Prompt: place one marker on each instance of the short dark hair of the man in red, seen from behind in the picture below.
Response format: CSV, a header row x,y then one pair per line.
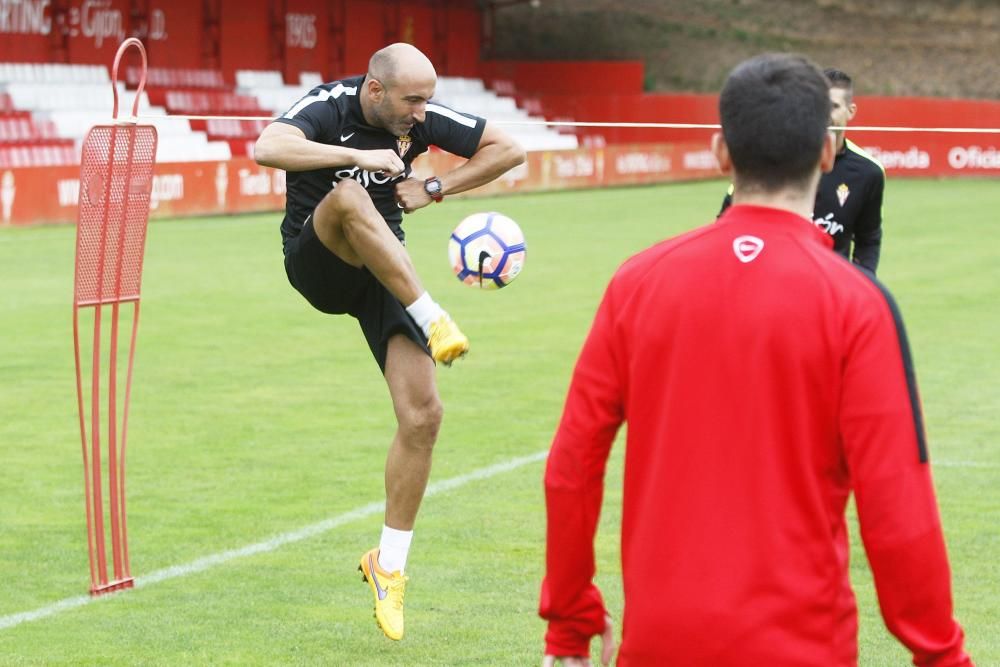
x,y
775,109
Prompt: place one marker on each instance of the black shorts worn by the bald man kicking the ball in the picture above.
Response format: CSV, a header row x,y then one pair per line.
x,y
333,286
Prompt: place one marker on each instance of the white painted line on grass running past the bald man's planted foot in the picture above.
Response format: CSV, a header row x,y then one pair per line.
x,y
272,544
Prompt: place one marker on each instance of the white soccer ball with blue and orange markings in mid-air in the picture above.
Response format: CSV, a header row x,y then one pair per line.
x,y
487,250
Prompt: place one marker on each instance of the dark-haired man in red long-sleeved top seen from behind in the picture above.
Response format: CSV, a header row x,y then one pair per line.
x,y
763,378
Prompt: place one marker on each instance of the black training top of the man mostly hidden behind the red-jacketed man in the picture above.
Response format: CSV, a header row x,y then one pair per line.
x,y
849,205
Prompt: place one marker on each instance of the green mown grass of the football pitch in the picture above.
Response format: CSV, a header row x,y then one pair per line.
x,y
253,416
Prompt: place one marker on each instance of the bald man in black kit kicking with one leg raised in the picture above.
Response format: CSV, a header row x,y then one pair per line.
x,y
348,147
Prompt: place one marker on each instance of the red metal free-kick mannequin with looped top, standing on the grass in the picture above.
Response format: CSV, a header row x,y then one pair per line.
x,y
116,177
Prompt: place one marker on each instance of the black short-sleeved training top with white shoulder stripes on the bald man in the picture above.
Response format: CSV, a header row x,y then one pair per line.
x,y
331,114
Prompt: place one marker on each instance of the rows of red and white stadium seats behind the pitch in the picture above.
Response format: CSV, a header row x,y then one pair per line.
x,y
47,109
